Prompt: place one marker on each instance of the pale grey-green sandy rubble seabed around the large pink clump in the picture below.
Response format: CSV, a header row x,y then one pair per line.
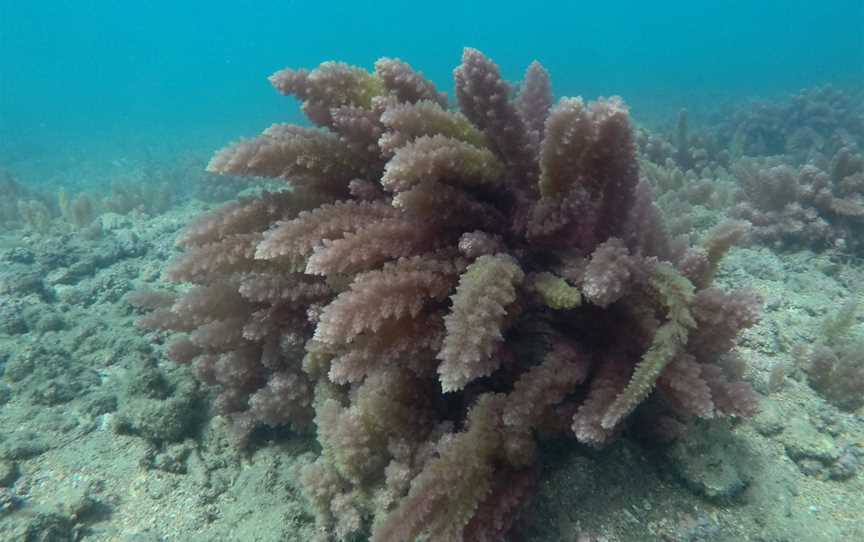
x,y
104,439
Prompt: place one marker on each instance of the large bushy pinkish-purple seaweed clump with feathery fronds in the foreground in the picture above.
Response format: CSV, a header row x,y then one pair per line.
x,y
437,288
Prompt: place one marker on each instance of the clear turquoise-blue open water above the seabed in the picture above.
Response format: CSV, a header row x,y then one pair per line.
x,y
103,82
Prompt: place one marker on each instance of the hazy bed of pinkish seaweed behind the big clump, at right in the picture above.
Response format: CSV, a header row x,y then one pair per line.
x,y
797,163
